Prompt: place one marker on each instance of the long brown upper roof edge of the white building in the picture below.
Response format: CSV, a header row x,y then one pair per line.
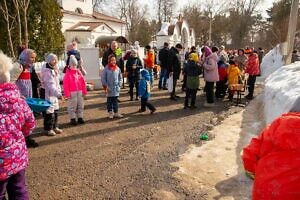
x,y
95,15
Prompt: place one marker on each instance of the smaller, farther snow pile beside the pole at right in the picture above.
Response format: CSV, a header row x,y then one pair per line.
x,y
271,62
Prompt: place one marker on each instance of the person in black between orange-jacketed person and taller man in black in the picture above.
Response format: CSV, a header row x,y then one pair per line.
x,y
163,59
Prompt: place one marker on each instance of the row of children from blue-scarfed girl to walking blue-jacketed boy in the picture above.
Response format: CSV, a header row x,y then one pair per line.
x,y
74,86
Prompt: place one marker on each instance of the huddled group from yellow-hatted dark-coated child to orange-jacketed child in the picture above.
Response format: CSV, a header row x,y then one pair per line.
x,y
217,67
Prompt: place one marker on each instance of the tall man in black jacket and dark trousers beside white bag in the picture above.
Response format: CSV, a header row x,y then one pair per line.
x,y
174,67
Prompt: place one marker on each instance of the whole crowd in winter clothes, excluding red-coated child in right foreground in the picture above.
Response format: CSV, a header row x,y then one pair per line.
x,y
220,69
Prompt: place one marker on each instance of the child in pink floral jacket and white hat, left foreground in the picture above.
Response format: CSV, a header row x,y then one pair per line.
x,y
16,122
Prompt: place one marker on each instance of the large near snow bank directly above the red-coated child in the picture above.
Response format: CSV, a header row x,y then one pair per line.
x,y
282,88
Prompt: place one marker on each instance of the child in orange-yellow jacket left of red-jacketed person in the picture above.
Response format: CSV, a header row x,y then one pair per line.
x,y
233,76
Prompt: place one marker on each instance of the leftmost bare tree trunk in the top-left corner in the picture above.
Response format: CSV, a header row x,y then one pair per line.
x,y
9,20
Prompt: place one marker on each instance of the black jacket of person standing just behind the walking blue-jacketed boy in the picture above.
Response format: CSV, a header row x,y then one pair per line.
x,y
133,74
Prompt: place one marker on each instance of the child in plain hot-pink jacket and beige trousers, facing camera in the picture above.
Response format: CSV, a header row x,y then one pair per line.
x,y
74,91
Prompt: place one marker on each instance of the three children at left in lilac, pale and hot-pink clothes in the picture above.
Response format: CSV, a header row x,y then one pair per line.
x,y
74,87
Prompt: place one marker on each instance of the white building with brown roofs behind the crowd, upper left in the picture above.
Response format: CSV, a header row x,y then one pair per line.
x,y
82,24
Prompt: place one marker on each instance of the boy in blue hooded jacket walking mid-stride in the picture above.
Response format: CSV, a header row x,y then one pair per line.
x,y
144,92
